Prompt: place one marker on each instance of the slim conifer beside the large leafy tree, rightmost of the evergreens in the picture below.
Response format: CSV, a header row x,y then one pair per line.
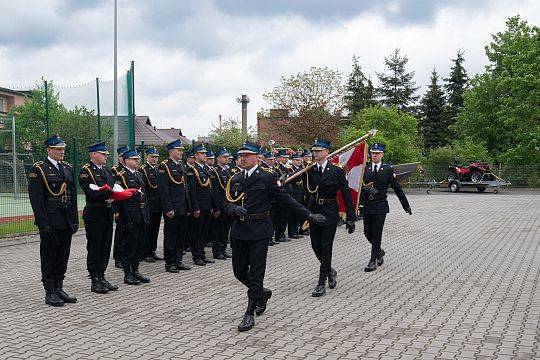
x,y
456,83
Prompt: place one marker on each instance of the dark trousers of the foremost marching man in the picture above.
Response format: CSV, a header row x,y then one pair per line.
x,y
249,264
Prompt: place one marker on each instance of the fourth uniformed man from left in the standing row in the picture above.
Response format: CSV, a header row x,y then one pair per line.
x,y
150,176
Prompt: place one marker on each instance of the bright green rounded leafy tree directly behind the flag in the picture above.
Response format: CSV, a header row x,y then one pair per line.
x,y
397,130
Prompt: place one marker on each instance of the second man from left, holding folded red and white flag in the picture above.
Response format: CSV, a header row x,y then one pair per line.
x,y
97,181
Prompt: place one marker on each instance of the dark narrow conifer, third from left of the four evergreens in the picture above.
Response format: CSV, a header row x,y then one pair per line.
x,y
433,117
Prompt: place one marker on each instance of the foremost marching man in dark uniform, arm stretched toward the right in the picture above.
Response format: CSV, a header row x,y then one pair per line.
x,y
248,201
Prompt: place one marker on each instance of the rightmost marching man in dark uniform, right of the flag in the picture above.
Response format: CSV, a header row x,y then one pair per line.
x,y
377,178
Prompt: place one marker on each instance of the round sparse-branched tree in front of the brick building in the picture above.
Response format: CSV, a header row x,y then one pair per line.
x,y
312,102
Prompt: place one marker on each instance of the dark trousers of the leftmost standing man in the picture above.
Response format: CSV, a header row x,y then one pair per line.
x,y
54,253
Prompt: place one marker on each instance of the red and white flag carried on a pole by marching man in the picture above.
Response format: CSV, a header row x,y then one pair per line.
x,y
353,162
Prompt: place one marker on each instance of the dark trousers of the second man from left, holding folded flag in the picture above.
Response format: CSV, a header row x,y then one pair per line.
x,y
99,240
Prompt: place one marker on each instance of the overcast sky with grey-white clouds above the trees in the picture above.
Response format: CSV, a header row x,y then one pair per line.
x,y
194,58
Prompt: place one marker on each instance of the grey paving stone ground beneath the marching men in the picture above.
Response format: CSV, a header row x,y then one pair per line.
x,y
460,281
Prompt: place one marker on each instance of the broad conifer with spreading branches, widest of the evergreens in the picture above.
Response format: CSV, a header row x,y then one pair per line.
x,y
398,88
